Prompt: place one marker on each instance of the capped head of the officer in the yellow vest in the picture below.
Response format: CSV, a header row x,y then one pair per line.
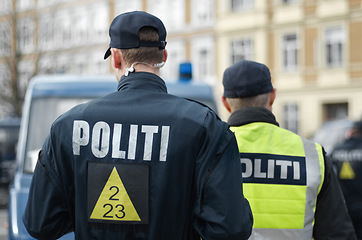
x,y
247,84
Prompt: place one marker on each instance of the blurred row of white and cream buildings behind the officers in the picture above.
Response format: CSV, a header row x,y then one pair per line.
x,y
312,47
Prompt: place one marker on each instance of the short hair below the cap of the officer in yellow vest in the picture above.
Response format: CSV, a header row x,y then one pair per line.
x,y
261,100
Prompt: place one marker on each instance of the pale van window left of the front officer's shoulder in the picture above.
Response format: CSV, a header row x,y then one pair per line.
x,y
43,113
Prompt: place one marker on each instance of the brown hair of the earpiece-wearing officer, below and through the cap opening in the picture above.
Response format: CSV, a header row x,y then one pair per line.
x,y
149,55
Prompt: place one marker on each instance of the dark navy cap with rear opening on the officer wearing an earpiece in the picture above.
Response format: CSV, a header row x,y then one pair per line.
x,y
125,27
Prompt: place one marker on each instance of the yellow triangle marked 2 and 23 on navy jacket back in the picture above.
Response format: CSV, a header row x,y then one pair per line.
x,y
114,203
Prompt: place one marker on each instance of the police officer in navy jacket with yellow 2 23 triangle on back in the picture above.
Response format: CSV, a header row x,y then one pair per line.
x,y
138,163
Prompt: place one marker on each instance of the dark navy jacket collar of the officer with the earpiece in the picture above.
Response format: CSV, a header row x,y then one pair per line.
x,y
141,80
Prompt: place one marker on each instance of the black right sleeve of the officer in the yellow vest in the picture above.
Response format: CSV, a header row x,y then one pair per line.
x,y
332,220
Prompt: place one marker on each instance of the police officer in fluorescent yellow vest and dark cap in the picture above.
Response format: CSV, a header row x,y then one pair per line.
x,y
288,180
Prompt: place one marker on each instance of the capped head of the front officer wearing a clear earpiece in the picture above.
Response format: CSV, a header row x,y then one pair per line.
x,y
136,37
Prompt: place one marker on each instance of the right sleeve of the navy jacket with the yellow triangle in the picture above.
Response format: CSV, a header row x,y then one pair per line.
x,y
221,211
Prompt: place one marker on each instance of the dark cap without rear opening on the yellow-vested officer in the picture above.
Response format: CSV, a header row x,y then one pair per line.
x,y
246,79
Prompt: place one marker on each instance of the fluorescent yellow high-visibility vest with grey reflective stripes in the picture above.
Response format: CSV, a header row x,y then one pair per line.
x,y
281,211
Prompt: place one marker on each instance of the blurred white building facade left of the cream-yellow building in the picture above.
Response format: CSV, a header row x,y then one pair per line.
x,y
70,37
